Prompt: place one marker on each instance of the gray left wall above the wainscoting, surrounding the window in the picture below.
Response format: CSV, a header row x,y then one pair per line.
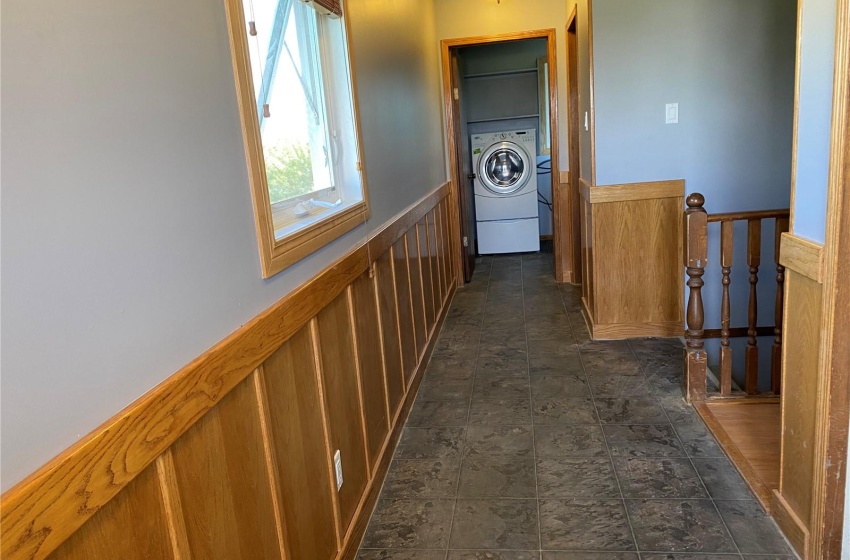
x,y
128,243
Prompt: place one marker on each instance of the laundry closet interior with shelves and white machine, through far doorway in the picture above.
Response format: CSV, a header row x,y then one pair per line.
x,y
504,131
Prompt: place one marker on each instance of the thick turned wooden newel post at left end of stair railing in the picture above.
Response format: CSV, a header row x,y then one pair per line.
x,y
695,229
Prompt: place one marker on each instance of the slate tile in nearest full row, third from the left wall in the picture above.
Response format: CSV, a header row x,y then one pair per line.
x,y
587,525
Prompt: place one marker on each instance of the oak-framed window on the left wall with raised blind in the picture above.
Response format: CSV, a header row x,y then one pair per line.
x,y
293,79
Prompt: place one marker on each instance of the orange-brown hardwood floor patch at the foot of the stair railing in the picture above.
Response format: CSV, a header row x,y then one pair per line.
x,y
750,432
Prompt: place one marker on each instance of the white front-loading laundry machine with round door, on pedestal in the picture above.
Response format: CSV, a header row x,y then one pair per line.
x,y
505,167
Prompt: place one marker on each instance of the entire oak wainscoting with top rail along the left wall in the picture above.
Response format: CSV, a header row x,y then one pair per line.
x,y
232,456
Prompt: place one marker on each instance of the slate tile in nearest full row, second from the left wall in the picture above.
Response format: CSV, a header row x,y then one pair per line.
x,y
495,524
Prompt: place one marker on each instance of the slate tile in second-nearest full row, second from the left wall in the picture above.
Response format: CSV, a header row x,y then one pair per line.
x,y
498,476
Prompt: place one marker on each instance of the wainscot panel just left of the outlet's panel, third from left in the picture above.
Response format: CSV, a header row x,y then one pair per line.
x,y
300,443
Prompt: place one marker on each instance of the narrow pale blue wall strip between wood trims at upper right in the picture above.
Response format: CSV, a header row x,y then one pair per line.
x,y
817,61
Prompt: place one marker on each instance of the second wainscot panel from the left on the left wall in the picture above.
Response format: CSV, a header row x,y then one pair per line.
x,y
221,475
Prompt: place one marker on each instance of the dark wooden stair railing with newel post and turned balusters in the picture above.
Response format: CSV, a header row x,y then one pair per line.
x,y
695,229
